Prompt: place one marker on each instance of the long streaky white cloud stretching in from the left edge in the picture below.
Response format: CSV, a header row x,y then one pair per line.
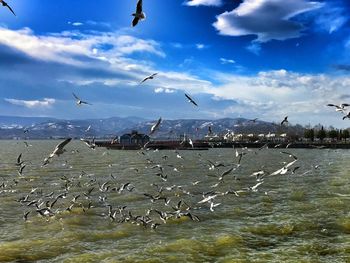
x,y
67,47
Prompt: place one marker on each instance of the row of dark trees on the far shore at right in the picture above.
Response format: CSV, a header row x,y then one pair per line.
x,y
322,134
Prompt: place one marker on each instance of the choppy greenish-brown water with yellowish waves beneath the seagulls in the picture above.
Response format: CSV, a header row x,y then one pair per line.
x,y
301,217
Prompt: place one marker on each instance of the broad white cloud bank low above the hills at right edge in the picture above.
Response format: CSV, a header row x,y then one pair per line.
x,y
270,95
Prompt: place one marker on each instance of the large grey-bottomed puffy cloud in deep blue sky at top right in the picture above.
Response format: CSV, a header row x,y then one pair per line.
x,y
267,19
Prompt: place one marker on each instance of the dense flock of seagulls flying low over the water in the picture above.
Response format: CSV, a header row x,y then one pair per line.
x,y
169,197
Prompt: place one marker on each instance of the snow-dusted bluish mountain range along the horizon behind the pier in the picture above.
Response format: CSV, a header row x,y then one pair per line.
x,y
44,128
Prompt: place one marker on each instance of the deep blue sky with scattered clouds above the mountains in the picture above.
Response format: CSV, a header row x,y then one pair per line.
x,y
263,59
